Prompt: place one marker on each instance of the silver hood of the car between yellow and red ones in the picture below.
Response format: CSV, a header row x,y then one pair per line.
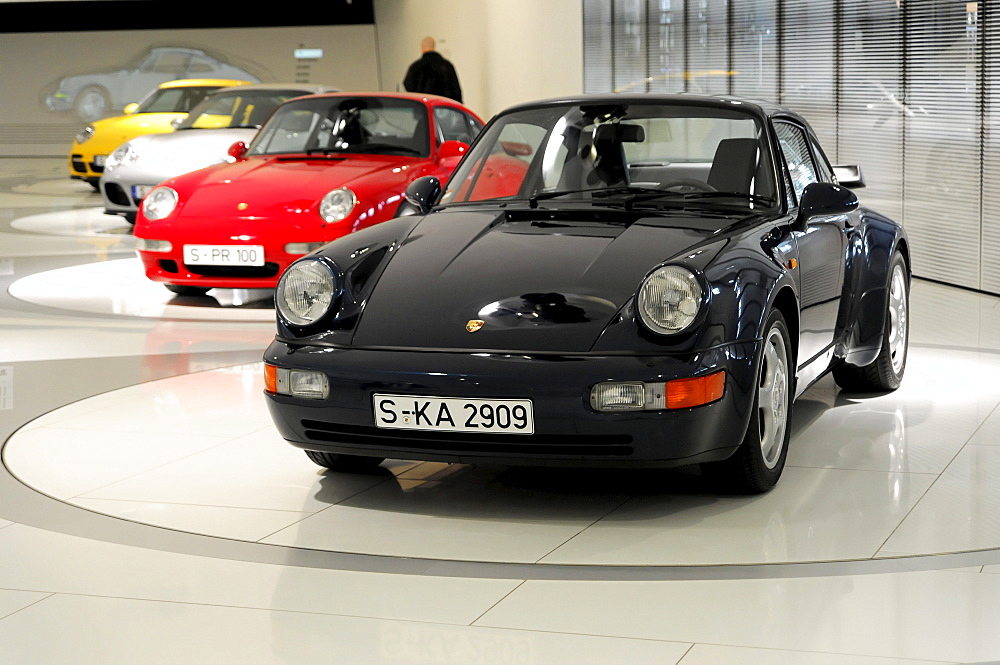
x,y
171,154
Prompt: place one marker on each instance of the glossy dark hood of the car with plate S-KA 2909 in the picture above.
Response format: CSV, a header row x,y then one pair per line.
x,y
538,284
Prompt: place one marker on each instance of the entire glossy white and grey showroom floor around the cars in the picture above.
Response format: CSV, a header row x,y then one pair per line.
x,y
149,513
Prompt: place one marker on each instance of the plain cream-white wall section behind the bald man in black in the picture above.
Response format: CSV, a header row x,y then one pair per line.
x,y
505,51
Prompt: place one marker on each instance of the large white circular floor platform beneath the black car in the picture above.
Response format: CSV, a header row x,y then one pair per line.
x,y
912,472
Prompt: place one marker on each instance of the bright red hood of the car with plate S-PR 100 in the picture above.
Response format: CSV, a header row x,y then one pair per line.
x,y
273,187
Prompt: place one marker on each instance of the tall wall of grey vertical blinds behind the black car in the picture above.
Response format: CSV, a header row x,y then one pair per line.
x,y
908,89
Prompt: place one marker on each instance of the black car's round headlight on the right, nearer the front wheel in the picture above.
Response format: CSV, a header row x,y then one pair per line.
x,y
669,300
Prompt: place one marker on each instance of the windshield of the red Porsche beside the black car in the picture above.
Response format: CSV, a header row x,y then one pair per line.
x,y
329,125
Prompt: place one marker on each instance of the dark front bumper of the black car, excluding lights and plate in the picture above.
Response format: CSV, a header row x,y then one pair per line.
x,y
568,432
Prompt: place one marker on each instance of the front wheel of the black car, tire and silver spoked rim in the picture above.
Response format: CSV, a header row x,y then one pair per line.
x,y
757,464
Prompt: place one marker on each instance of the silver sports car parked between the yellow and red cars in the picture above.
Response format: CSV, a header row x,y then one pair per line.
x,y
201,139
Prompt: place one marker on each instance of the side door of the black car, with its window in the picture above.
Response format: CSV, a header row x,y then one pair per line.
x,y
822,244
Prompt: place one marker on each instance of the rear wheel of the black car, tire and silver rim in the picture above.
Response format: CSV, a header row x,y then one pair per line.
x,y
885,373
